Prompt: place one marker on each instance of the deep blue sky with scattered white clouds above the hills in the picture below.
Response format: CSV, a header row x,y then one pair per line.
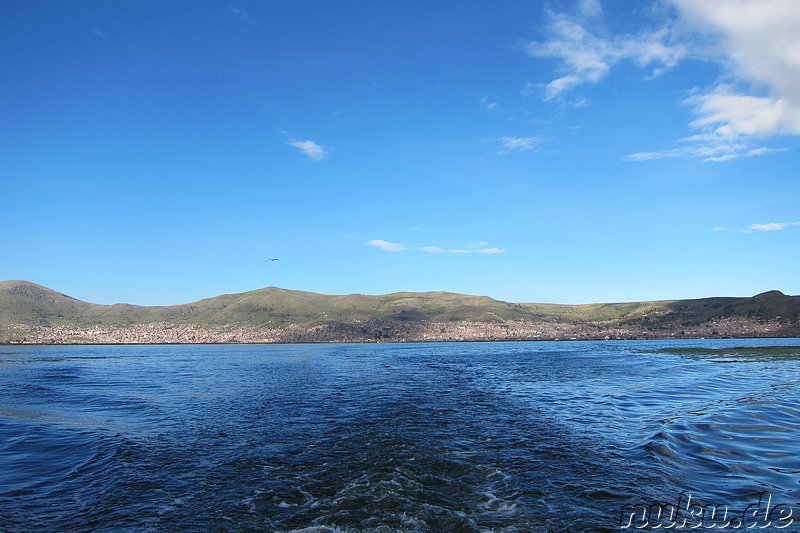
x,y
158,153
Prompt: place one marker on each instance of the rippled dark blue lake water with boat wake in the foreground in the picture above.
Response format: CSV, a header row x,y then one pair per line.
x,y
458,437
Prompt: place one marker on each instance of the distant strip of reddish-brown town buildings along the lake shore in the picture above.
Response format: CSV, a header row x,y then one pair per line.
x,y
392,331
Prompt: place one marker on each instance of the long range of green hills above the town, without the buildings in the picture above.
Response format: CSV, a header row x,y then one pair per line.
x,y
26,303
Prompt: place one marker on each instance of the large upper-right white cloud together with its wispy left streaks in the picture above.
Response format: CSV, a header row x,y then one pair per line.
x,y
755,42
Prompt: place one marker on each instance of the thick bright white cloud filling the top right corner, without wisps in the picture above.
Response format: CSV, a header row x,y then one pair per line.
x,y
757,42
